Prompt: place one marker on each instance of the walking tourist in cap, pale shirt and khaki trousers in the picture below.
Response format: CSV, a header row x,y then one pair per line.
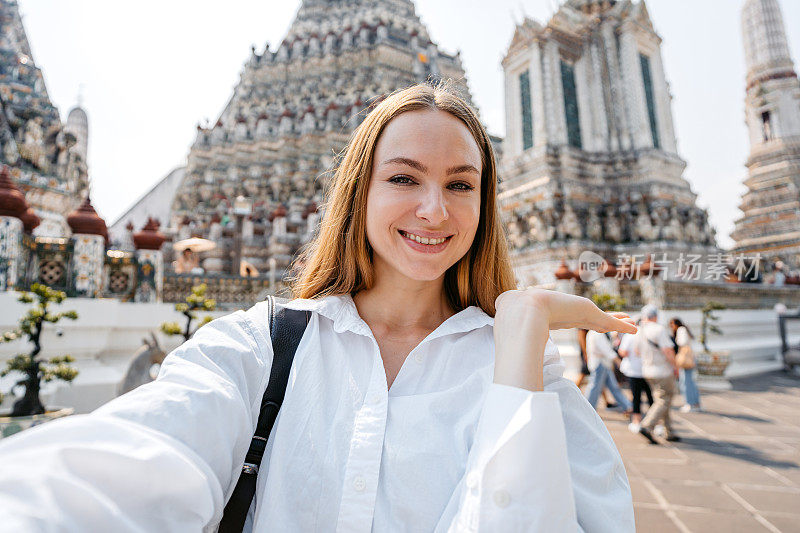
x,y
654,346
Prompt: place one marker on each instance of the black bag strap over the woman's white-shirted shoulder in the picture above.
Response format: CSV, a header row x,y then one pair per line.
x,y
286,329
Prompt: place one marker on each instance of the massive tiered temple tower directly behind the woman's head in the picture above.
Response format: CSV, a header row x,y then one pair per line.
x,y
257,174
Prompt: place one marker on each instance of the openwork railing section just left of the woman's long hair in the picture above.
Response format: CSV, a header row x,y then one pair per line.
x,y
230,292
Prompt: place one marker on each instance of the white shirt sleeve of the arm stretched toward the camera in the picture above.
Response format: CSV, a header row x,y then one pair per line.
x,y
160,458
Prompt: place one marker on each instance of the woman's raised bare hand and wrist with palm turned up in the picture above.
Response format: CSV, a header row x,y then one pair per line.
x,y
522,324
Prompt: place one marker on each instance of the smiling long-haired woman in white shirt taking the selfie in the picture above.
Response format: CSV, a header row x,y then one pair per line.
x,y
425,394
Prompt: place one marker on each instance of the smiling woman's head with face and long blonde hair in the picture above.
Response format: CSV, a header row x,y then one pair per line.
x,y
423,165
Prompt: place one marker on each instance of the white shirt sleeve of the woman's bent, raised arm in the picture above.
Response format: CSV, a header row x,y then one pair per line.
x,y
541,461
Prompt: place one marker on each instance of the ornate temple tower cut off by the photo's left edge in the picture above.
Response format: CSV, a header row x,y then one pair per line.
x,y
47,159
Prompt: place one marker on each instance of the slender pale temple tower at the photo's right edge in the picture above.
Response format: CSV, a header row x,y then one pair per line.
x,y
770,223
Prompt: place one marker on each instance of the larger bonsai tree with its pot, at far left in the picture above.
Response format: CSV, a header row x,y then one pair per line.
x,y
28,410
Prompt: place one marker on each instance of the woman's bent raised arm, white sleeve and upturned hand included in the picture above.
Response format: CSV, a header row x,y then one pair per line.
x,y
542,459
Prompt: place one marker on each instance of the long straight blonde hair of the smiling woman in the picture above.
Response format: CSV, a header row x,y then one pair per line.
x,y
339,260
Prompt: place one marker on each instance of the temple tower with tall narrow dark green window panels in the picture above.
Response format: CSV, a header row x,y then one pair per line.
x,y
590,157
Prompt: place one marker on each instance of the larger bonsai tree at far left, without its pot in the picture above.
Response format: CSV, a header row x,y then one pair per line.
x,y
30,365
